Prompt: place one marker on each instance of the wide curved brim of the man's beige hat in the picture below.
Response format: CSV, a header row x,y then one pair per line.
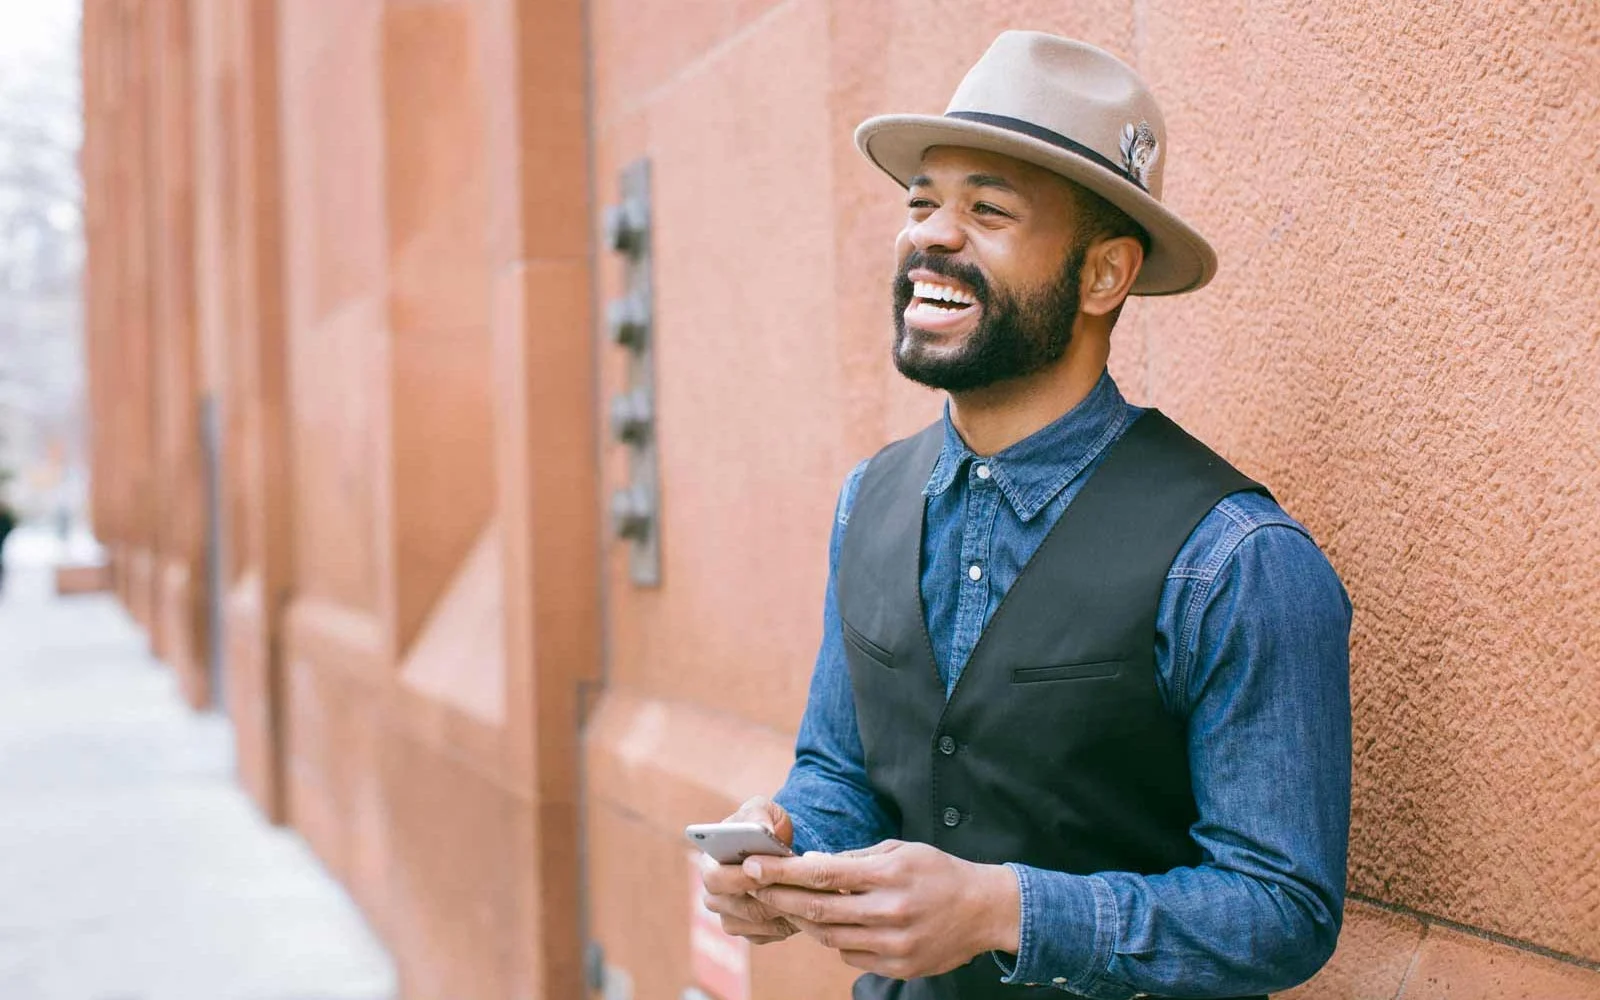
x,y
1180,260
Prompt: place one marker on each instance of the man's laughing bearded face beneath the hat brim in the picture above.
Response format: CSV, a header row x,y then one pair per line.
x,y
990,271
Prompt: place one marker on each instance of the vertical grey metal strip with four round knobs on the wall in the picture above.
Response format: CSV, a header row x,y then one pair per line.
x,y
636,508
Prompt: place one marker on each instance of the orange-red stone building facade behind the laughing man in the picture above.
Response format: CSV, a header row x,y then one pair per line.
x,y
361,249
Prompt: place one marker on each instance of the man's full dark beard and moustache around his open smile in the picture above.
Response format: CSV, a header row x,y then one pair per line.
x,y
1018,334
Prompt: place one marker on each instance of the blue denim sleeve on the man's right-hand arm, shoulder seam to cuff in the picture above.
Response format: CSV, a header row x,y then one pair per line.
x,y
1260,663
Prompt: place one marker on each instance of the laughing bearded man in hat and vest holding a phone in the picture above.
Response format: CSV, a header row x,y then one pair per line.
x,y
1081,716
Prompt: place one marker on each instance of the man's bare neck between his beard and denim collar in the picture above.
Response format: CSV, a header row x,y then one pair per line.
x,y
998,417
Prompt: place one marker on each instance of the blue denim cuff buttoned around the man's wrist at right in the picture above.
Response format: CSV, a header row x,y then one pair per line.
x,y
1068,932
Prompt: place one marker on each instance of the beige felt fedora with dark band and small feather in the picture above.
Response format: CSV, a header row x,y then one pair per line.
x,y
1076,111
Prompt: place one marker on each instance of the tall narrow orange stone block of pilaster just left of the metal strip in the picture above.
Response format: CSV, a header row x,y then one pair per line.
x,y
543,367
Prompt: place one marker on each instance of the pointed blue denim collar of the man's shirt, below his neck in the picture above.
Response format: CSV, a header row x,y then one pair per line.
x,y
1038,468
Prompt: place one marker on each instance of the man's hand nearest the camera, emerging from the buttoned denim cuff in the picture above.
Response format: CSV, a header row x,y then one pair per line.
x,y
897,910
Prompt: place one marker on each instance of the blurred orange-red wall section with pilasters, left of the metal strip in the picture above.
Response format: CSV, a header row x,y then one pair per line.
x,y
359,254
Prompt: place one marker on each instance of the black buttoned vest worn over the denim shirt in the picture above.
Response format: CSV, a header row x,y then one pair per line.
x,y
1055,748
